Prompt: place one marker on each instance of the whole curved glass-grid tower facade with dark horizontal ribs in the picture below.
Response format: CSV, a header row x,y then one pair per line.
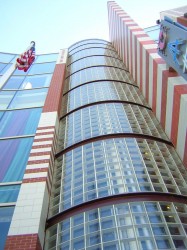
x,y
111,147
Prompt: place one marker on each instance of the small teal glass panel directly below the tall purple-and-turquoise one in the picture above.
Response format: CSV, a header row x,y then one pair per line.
x,y
9,193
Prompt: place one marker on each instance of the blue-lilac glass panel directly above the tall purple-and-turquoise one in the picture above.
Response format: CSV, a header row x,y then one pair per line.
x,y
19,122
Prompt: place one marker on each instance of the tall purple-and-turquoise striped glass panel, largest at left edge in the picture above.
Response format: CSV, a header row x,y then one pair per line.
x,y
13,166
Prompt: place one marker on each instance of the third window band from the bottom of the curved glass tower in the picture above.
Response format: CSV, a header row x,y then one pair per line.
x,y
108,118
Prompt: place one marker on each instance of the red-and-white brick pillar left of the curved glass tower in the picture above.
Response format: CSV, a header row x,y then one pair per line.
x,y
28,223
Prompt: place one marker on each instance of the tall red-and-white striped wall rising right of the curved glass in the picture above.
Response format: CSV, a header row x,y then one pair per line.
x,y
164,91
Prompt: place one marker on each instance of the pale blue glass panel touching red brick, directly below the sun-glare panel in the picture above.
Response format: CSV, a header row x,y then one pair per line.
x,y
29,98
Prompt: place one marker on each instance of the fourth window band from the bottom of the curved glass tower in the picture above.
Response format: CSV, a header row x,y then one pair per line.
x,y
102,91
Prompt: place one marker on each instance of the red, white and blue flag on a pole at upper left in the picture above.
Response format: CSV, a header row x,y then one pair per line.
x,y
26,59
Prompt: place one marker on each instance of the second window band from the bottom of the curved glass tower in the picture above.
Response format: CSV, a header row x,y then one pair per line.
x,y
115,166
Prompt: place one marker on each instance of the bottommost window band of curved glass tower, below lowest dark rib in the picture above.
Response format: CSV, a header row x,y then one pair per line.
x,y
142,225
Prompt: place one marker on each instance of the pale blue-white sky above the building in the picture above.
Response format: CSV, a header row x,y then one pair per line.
x,y
57,24
